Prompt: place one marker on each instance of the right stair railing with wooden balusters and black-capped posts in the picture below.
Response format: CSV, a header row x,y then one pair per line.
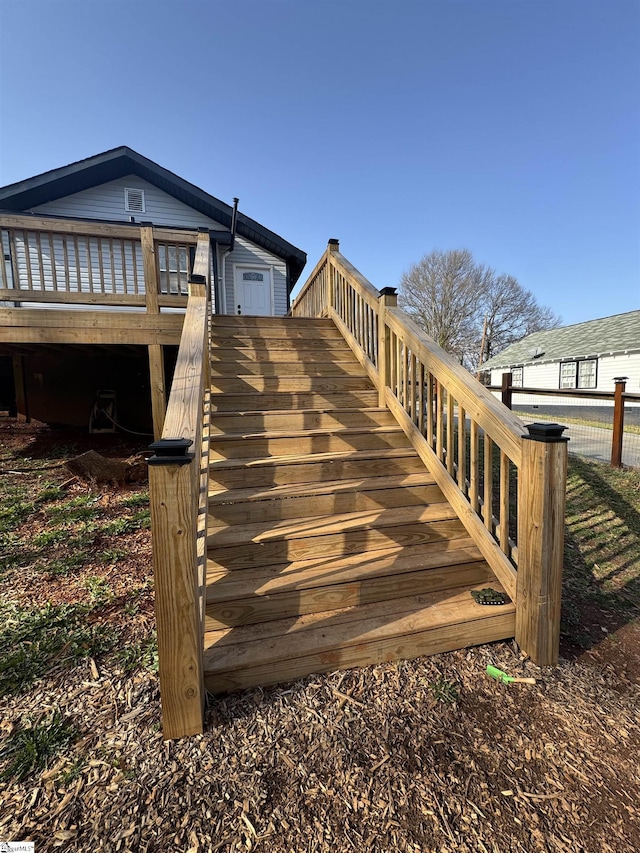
x,y
508,488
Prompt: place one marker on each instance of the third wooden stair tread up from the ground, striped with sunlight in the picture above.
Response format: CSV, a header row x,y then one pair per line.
x,y
263,532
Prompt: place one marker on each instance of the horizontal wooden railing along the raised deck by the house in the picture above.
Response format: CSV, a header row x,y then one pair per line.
x,y
64,261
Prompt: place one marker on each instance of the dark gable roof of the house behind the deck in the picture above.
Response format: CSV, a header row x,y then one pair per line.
x,y
122,161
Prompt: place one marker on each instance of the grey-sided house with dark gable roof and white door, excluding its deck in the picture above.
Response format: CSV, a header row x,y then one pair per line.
x,y
254,269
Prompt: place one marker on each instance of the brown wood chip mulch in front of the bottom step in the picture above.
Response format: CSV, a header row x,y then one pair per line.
x,y
384,758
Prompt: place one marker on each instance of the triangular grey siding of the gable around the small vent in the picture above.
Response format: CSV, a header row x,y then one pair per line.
x,y
107,202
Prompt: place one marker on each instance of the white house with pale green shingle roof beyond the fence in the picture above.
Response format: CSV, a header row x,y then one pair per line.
x,y
584,356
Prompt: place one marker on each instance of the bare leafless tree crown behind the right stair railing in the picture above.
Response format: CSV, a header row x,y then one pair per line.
x,y
453,299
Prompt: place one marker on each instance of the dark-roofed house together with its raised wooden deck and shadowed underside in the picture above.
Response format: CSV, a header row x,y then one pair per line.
x,y
74,238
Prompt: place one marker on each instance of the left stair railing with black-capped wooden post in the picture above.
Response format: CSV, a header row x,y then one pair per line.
x,y
178,487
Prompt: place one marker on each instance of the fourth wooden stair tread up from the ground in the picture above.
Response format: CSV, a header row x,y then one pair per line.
x,y
290,490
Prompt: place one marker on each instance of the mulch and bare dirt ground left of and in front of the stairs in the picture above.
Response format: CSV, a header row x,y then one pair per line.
x,y
424,755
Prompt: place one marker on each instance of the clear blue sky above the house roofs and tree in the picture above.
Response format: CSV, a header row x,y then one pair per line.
x,y
511,128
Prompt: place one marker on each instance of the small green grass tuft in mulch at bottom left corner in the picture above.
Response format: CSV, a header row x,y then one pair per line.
x,y
30,749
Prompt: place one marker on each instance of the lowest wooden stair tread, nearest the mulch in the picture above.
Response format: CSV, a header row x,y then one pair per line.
x,y
319,634
